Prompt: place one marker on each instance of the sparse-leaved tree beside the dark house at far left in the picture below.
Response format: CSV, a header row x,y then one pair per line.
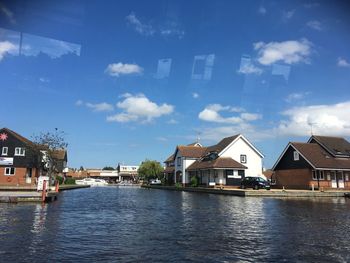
x,y
48,145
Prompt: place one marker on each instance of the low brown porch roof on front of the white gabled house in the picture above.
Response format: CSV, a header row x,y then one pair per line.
x,y
221,162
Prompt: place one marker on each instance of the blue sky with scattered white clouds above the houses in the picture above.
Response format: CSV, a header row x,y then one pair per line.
x,y
129,80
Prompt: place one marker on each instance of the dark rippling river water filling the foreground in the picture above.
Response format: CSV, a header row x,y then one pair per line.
x,y
124,224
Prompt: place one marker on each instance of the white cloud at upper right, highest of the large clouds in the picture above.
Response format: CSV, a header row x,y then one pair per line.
x,y
289,52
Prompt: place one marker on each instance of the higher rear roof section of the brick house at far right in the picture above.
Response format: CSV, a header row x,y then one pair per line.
x,y
335,145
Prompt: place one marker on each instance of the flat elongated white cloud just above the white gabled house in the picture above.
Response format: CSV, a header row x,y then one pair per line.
x,y
211,114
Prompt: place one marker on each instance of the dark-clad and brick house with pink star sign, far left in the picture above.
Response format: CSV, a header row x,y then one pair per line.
x,y
19,159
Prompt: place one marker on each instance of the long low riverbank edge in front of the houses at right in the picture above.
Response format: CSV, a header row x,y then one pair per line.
x,y
254,193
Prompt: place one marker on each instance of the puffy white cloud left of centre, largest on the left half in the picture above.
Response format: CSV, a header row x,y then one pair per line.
x,y
139,108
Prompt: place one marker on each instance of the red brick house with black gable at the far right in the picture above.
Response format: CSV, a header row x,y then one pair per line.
x,y
322,163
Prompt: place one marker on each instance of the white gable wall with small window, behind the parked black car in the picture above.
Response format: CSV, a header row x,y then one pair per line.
x,y
254,160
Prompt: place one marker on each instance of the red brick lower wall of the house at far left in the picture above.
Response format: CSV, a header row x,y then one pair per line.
x,y
19,178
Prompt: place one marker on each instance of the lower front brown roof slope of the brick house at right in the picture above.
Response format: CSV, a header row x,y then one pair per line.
x,y
319,158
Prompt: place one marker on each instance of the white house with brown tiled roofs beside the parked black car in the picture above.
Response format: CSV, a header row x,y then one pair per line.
x,y
224,163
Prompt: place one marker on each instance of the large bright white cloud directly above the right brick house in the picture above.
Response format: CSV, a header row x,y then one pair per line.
x,y
330,119
